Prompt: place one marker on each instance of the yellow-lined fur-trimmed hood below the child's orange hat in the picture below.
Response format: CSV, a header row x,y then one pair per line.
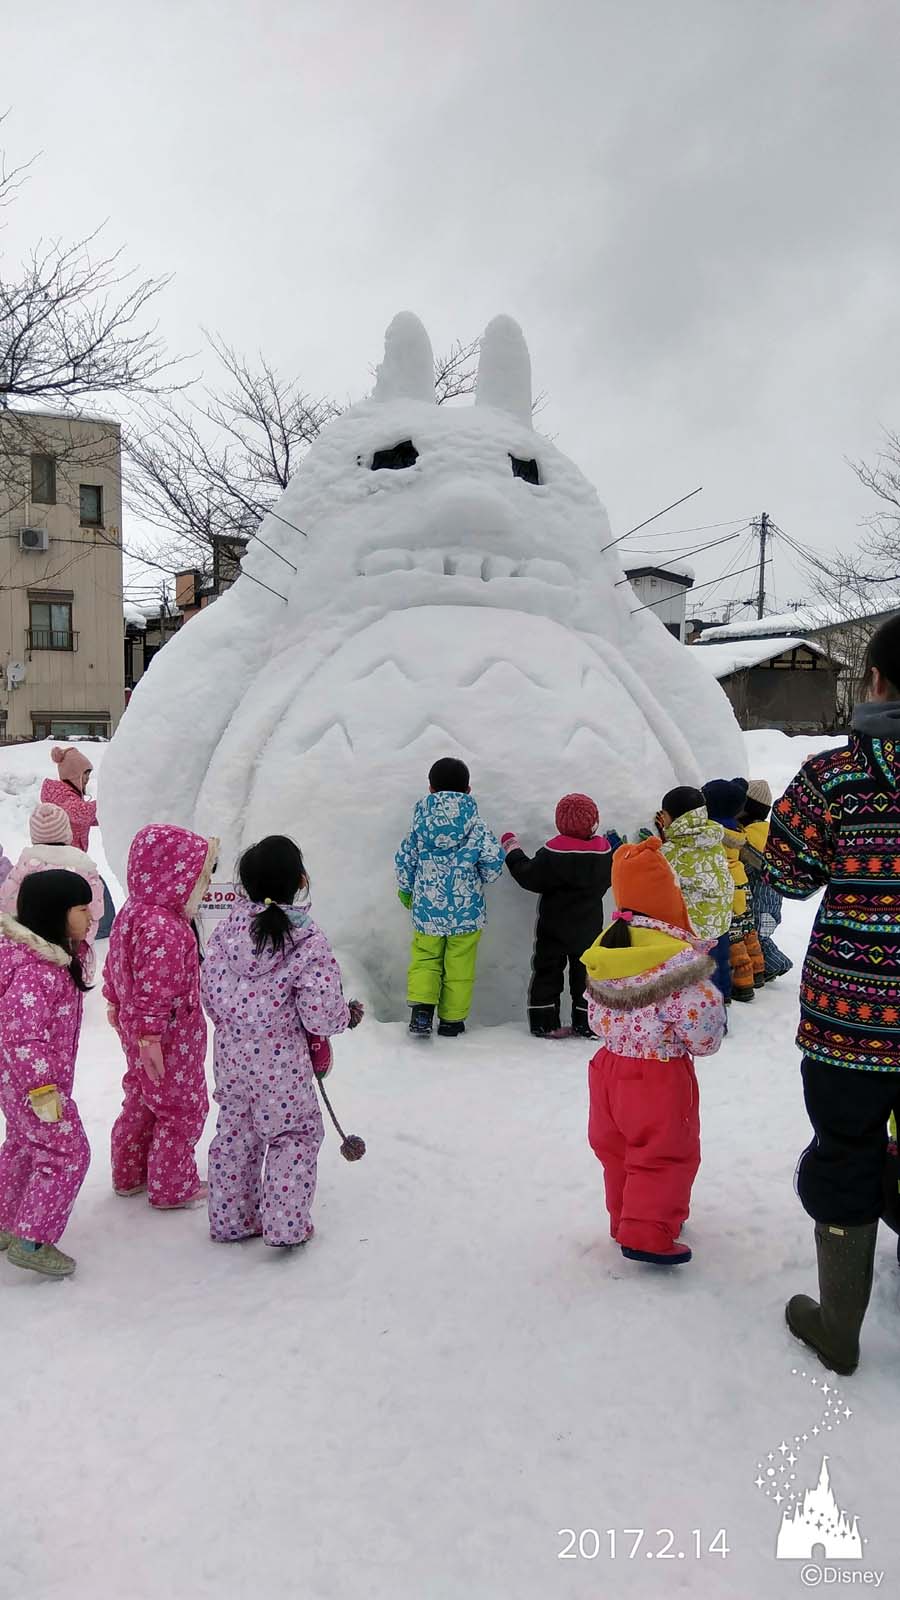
x,y
659,962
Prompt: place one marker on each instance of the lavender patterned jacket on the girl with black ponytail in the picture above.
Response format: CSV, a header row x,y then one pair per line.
x,y
265,1006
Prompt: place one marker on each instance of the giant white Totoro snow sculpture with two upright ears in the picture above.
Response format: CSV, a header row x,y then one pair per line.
x,y
432,583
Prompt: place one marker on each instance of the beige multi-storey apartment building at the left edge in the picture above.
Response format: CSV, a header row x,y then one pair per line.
x,y
62,658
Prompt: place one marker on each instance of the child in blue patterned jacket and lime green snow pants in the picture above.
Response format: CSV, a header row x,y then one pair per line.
x,y
443,866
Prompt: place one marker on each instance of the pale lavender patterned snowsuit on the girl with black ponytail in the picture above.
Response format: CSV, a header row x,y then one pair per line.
x,y
263,1009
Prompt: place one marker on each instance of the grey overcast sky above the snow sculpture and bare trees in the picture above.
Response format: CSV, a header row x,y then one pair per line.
x,y
691,207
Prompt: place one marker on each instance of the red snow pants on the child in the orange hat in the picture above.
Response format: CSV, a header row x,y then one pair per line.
x,y
645,1127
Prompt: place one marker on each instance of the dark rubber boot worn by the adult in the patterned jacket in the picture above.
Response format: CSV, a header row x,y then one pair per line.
x,y
832,1329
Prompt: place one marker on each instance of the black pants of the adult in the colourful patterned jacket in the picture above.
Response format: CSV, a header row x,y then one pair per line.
x,y
842,1174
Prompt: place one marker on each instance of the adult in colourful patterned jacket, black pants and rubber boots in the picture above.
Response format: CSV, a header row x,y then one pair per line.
x,y
838,828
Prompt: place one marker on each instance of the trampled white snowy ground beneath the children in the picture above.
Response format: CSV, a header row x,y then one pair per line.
x,y
460,1366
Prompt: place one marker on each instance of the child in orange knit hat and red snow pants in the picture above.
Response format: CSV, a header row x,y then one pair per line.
x,y
654,1007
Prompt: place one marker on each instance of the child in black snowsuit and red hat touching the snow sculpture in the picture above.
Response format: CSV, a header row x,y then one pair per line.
x,y
573,874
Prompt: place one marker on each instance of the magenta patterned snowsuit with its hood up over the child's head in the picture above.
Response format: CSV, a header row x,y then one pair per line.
x,y
153,978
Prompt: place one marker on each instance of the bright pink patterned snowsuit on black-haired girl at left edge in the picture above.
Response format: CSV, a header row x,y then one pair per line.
x,y
42,1164
